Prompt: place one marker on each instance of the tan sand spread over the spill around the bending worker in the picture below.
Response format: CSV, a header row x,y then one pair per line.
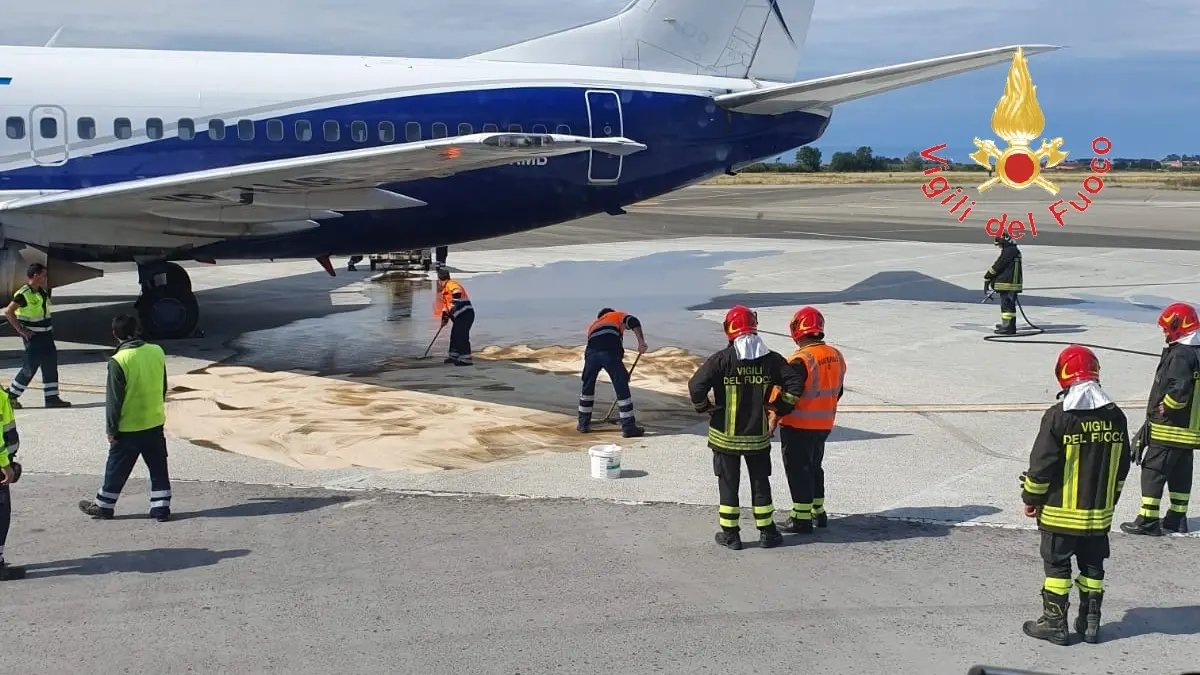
x,y
422,415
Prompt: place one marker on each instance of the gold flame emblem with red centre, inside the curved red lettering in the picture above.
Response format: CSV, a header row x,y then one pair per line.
x,y
1018,120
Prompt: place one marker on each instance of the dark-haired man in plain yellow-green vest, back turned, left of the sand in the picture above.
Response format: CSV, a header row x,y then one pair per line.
x,y
135,417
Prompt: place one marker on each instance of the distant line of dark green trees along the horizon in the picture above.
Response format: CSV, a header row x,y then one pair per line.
x,y
808,160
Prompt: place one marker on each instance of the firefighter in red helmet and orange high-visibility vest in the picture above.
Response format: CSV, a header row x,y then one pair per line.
x,y
806,429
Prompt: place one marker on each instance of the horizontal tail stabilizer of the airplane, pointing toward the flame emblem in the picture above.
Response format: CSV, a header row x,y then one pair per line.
x,y
827,92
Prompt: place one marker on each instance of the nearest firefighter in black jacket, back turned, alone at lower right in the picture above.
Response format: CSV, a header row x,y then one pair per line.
x,y
1078,468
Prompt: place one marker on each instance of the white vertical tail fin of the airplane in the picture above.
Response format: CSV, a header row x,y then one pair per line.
x,y
742,39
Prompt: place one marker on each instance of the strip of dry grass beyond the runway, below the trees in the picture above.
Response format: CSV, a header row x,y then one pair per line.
x,y
1160,180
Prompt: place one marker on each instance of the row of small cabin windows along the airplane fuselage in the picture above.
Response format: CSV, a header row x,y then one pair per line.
x,y
303,130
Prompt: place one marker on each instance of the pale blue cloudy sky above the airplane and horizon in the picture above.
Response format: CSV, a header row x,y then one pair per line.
x,y
1131,71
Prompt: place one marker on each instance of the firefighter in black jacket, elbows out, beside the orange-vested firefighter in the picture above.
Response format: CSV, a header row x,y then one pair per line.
x,y
746,379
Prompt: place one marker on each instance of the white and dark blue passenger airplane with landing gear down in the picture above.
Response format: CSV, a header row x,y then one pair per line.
x,y
160,157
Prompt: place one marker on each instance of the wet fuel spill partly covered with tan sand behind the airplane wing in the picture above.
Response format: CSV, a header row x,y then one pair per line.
x,y
351,390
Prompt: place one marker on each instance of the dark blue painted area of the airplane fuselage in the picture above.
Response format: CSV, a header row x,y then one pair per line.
x,y
688,139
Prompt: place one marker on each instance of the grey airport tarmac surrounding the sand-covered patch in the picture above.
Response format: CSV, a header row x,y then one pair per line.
x,y
928,565
